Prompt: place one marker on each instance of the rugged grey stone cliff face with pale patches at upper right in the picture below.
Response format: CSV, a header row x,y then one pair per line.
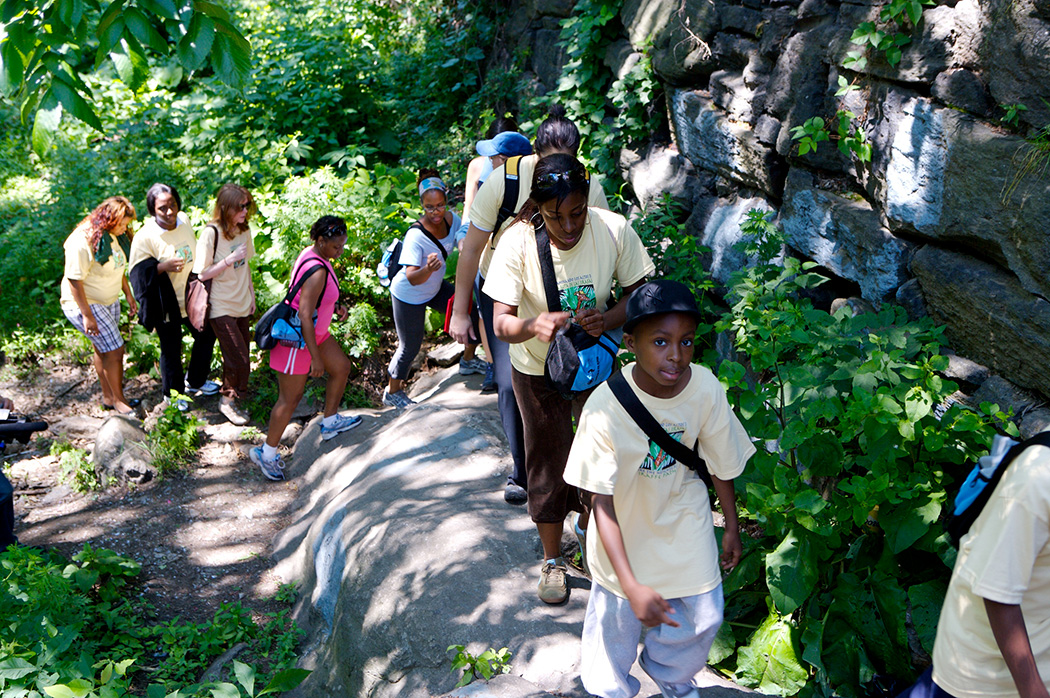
x,y
950,216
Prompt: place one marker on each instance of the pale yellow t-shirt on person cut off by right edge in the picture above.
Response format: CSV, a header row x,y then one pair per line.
x,y
1005,559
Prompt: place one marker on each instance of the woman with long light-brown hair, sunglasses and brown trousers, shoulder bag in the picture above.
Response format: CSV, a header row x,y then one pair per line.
x,y
223,253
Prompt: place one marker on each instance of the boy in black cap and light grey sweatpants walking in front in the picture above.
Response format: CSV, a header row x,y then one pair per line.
x,y
656,561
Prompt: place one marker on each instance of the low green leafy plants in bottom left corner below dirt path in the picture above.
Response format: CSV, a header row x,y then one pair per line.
x,y
74,628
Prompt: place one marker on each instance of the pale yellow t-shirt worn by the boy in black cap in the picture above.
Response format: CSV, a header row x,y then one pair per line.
x,y
663,507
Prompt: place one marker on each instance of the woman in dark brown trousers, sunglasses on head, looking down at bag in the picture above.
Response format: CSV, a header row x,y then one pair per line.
x,y
592,250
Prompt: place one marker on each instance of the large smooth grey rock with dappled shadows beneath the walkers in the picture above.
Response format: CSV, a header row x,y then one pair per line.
x,y
405,546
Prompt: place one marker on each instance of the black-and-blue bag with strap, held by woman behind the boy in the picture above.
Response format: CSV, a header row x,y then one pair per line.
x,y
576,362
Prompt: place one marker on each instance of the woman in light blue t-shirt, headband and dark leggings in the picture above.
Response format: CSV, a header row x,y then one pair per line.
x,y
421,284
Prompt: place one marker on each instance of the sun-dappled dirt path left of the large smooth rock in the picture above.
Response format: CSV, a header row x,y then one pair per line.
x,y
202,539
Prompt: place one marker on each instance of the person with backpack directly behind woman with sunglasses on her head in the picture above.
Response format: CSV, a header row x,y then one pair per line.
x,y
557,135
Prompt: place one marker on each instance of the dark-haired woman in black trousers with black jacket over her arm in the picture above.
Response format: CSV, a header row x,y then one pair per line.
x,y
162,260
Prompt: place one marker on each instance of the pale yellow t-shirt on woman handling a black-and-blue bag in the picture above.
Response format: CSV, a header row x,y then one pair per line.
x,y
610,250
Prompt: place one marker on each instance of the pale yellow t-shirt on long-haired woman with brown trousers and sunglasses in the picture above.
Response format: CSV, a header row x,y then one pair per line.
x,y
232,292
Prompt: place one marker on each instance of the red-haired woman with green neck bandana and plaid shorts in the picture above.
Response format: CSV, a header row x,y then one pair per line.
x,y
96,259
